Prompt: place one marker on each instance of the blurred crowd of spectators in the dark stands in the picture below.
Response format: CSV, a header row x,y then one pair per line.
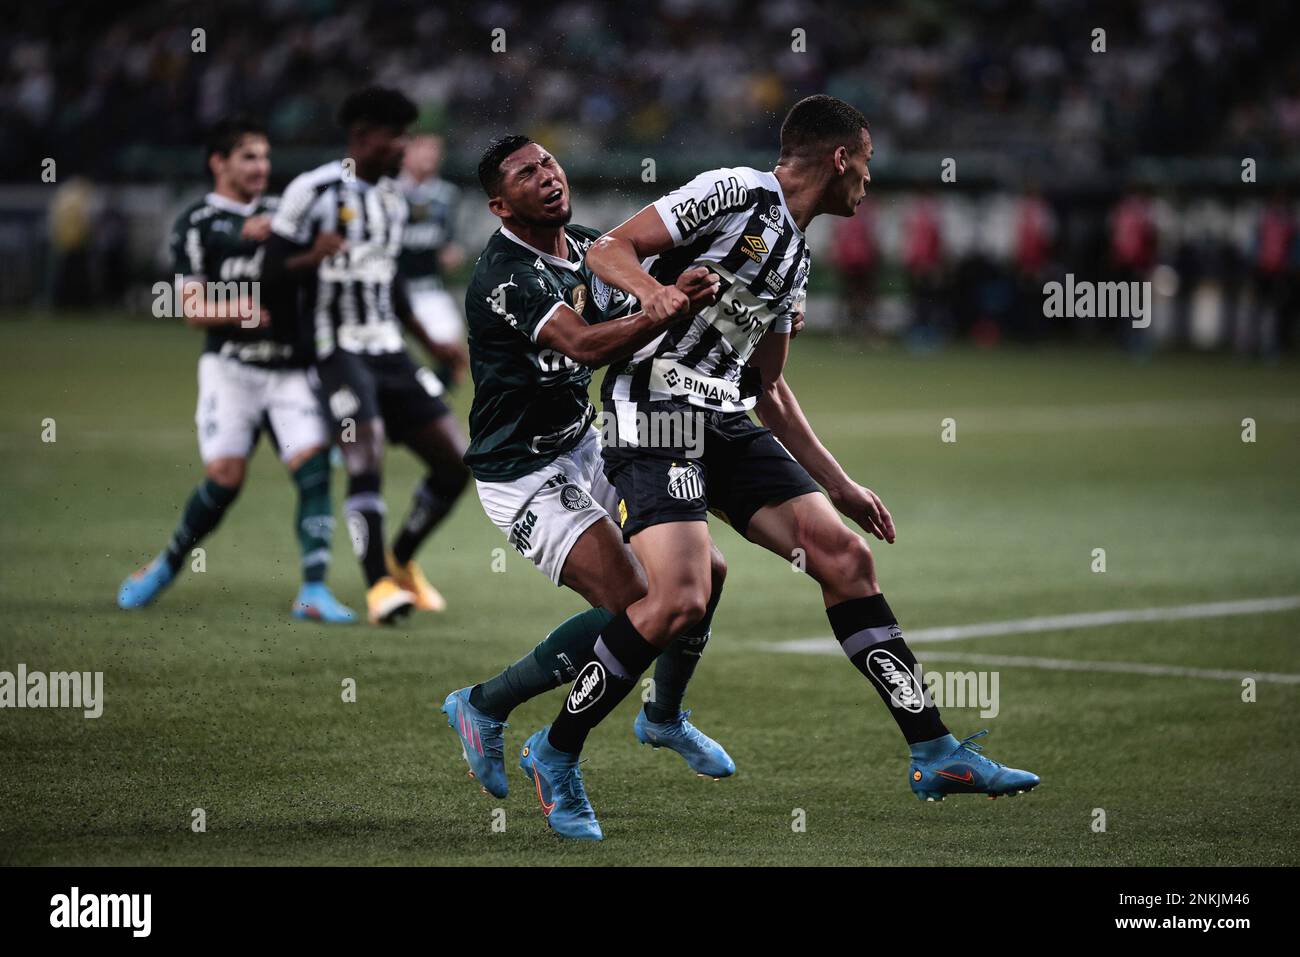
x,y
1019,77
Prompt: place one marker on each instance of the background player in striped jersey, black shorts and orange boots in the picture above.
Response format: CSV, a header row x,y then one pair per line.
x,y
339,231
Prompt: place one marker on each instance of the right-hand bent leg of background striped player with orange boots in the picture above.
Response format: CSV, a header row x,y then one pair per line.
x,y
417,417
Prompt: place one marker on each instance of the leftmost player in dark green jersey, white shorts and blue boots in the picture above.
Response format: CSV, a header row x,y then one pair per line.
x,y
253,374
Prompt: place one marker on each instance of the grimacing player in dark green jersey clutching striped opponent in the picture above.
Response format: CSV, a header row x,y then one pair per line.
x,y
538,328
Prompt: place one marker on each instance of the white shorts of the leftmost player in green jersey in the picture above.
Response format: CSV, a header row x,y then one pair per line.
x,y
235,399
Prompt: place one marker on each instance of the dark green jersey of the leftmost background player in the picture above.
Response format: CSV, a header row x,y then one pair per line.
x,y
207,246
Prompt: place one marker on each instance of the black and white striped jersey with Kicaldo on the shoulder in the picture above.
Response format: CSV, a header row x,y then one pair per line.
x,y
736,222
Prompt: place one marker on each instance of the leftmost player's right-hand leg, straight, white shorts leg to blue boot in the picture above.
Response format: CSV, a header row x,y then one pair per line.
x,y
302,436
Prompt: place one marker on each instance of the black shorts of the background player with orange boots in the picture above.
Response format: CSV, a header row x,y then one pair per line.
x,y
388,387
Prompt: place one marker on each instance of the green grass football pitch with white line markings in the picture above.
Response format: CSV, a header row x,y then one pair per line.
x,y
1151,748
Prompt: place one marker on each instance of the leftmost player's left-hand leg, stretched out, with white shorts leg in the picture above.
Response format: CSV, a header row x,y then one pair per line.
x,y
227,422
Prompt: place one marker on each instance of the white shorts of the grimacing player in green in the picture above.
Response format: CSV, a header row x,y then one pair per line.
x,y
544,513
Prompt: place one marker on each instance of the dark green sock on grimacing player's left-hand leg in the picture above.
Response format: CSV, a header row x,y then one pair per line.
x,y
554,662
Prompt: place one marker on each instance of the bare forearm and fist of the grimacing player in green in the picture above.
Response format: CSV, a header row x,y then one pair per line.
x,y
605,343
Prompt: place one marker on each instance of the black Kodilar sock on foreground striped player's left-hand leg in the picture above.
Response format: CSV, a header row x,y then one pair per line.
x,y
622,655
